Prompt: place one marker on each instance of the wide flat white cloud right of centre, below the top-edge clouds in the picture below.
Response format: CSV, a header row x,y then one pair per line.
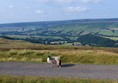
x,y
76,9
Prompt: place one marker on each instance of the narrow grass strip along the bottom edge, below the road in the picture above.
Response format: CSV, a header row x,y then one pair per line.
x,y
16,79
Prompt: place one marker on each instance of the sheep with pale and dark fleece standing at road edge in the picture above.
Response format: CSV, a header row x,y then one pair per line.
x,y
54,60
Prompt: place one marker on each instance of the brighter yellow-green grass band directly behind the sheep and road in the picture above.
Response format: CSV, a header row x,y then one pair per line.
x,y
67,56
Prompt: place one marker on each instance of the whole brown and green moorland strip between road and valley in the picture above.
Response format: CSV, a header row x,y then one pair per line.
x,y
12,50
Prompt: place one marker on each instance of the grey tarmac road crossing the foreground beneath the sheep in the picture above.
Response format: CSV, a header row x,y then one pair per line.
x,y
67,70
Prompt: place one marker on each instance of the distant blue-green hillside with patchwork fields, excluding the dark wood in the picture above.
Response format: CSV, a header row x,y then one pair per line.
x,y
62,31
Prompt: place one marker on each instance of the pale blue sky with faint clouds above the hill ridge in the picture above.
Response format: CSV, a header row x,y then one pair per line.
x,y
12,11
